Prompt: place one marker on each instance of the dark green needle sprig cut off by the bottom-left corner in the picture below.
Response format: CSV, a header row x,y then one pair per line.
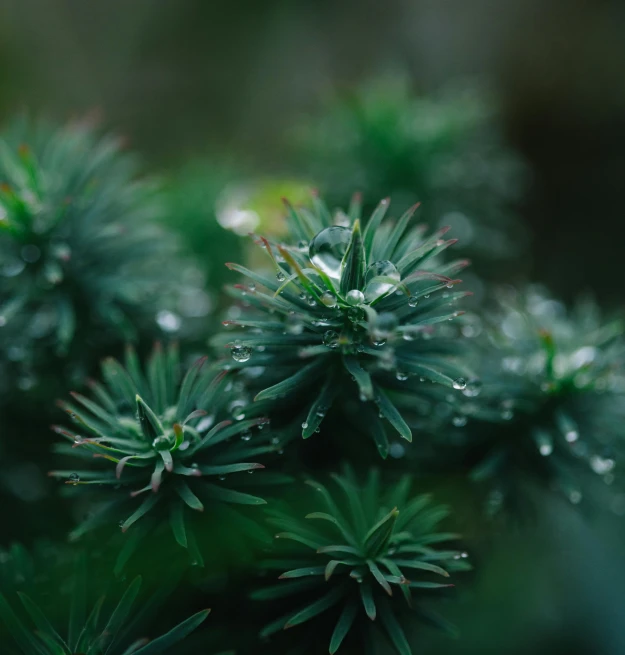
x,y
39,618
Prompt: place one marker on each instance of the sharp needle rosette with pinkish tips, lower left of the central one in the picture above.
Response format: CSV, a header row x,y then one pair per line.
x,y
161,444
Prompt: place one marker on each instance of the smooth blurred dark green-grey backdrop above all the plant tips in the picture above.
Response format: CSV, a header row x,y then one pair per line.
x,y
191,78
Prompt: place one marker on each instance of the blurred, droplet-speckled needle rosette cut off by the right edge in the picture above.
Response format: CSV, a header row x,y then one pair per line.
x,y
547,408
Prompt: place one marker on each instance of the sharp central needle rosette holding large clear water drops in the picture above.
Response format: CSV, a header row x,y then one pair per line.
x,y
351,312
